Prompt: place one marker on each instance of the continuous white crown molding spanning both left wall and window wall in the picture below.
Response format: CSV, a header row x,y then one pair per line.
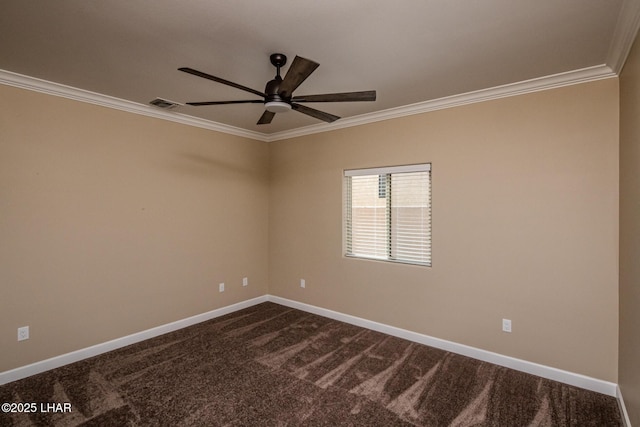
x,y
513,89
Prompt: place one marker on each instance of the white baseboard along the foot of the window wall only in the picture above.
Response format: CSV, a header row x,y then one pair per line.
x,y
578,380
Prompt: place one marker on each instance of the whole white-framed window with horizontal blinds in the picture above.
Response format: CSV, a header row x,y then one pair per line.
x,y
387,214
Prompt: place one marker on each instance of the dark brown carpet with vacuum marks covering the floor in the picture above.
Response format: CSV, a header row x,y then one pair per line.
x,y
270,365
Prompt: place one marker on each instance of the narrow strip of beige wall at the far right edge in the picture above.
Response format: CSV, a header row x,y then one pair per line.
x,y
630,234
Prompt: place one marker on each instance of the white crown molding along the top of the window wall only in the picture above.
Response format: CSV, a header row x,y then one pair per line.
x,y
584,75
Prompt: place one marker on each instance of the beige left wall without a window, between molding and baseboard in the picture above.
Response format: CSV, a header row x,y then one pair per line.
x,y
112,223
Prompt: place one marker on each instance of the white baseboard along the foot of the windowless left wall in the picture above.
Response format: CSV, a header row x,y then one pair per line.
x,y
85,353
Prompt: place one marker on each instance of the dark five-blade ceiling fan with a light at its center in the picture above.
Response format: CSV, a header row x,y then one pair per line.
x,y
278,93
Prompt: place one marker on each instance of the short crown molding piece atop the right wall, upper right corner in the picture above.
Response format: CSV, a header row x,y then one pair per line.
x,y
624,34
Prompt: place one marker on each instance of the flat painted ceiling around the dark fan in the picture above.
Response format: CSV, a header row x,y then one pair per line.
x,y
410,51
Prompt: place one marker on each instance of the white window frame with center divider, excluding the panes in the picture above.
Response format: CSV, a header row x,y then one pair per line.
x,y
388,171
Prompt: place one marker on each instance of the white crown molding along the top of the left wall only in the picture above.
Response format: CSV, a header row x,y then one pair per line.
x,y
38,85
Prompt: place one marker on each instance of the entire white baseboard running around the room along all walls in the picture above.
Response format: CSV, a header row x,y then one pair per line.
x,y
566,377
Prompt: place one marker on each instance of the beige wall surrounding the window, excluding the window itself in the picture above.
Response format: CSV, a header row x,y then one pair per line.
x,y
525,226
